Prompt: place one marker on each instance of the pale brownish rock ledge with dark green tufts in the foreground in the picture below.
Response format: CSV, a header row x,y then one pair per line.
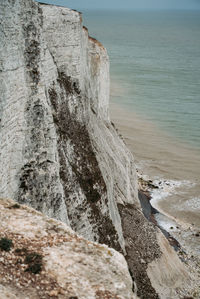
x,y
43,258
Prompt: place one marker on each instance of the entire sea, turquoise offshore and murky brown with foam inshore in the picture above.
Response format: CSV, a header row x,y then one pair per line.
x,y
155,101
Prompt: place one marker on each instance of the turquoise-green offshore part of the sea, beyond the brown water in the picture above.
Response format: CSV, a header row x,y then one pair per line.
x,y
155,63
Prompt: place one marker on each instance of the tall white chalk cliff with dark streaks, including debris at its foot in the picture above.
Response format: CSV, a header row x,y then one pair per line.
x,y
59,152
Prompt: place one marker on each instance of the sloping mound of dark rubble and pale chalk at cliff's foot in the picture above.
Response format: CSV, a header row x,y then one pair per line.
x,y
158,271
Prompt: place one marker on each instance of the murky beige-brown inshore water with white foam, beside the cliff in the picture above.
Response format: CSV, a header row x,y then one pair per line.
x,y
163,157
